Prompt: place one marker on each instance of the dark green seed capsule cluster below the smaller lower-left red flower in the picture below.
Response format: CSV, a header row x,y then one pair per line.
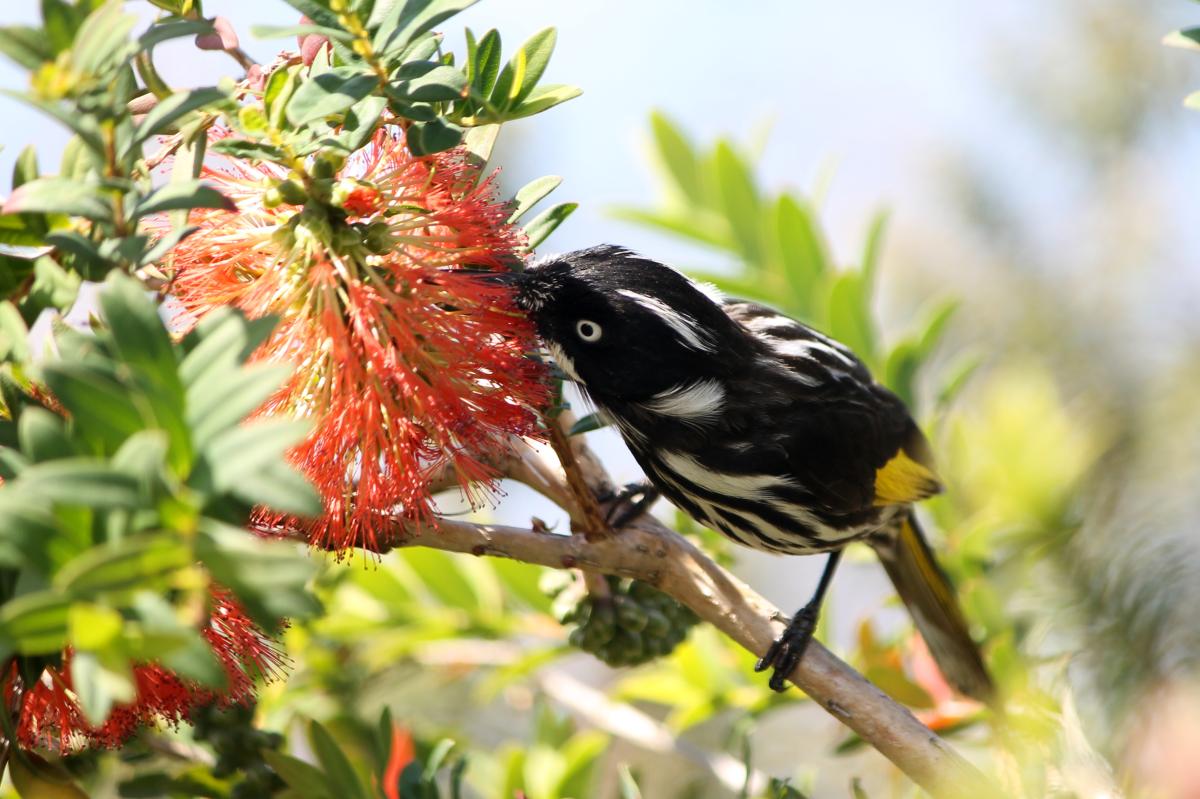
x,y
238,744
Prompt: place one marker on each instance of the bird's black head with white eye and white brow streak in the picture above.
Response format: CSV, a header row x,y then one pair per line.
x,y
627,327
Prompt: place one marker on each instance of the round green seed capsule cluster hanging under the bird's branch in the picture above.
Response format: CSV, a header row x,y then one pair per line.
x,y
633,624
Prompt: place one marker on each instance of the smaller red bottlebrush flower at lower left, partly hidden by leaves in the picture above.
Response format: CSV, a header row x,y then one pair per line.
x,y
51,718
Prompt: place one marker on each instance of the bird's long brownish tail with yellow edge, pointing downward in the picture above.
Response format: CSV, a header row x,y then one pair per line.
x,y
928,594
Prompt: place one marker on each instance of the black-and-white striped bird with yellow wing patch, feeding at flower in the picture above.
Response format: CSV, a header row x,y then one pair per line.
x,y
755,425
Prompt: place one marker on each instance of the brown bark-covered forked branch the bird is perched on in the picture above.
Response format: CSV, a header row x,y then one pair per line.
x,y
649,551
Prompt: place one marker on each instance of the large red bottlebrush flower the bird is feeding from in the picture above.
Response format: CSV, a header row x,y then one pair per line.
x,y
409,370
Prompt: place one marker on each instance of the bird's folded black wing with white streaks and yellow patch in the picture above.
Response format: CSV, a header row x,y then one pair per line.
x,y
850,442
